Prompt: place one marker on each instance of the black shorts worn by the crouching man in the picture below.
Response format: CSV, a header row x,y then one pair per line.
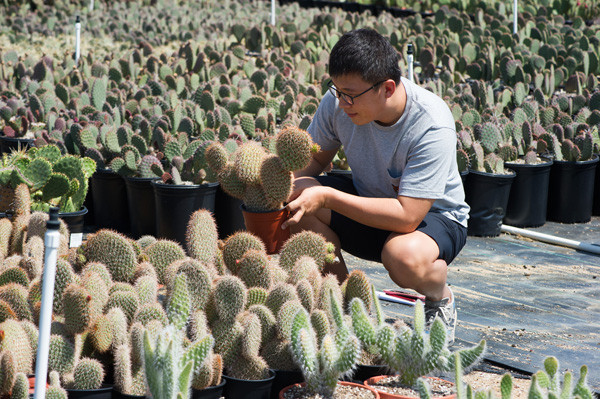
x,y
367,242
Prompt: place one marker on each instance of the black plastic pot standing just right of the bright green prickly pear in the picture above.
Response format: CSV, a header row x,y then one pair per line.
x,y
110,201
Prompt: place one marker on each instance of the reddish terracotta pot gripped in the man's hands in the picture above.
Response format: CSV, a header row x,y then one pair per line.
x,y
267,226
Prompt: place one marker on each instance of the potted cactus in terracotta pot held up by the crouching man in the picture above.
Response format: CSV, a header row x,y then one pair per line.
x,y
263,181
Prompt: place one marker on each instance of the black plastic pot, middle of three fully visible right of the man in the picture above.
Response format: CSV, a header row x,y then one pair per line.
x,y
528,199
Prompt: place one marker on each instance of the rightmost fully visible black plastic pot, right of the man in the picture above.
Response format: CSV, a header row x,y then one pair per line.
x,y
571,191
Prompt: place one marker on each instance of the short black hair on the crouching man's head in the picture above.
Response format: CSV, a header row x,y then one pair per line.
x,y
366,53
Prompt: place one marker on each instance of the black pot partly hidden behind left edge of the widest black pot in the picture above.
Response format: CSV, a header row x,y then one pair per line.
x,y
141,205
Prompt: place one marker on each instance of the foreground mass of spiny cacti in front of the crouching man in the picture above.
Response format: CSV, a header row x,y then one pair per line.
x,y
231,307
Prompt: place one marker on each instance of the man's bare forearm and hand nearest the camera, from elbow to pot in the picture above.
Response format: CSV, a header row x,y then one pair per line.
x,y
401,215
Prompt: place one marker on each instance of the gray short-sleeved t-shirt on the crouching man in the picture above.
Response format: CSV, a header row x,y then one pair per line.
x,y
415,157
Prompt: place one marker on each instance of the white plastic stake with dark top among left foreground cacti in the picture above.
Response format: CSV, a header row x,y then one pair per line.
x,y
51,242
